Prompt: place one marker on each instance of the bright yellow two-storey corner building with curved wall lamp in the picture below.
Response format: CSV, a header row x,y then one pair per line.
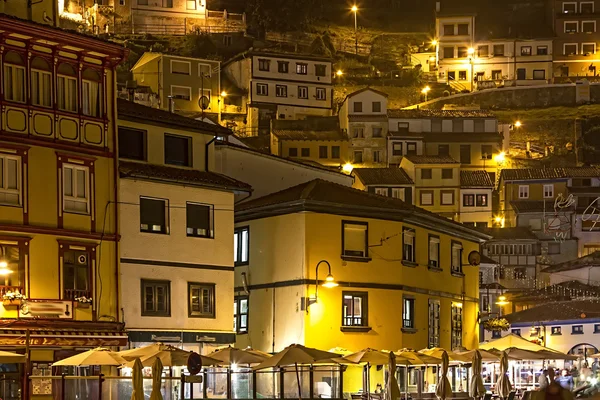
x,y
403,273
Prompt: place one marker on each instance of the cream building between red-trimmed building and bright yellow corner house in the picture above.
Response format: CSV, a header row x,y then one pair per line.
x,y
176,222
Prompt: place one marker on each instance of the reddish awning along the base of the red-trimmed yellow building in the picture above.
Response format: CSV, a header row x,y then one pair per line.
x,y
70,338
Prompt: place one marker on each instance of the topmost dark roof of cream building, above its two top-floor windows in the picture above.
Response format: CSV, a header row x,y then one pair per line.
x,y
131,111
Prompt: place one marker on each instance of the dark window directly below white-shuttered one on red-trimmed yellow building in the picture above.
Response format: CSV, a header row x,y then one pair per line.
x,y
76,274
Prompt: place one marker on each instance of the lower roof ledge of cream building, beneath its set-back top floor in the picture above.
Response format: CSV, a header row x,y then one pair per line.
x,y
163,173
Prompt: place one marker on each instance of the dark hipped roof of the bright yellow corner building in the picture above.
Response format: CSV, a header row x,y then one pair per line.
x,y
331,198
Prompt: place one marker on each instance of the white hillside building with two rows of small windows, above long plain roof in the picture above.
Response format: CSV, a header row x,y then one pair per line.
x,y
281,86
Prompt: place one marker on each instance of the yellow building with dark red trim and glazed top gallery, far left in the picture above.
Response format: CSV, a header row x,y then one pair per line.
x,y
58,220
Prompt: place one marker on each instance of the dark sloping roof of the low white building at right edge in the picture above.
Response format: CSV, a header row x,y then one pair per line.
x,y
557,311
